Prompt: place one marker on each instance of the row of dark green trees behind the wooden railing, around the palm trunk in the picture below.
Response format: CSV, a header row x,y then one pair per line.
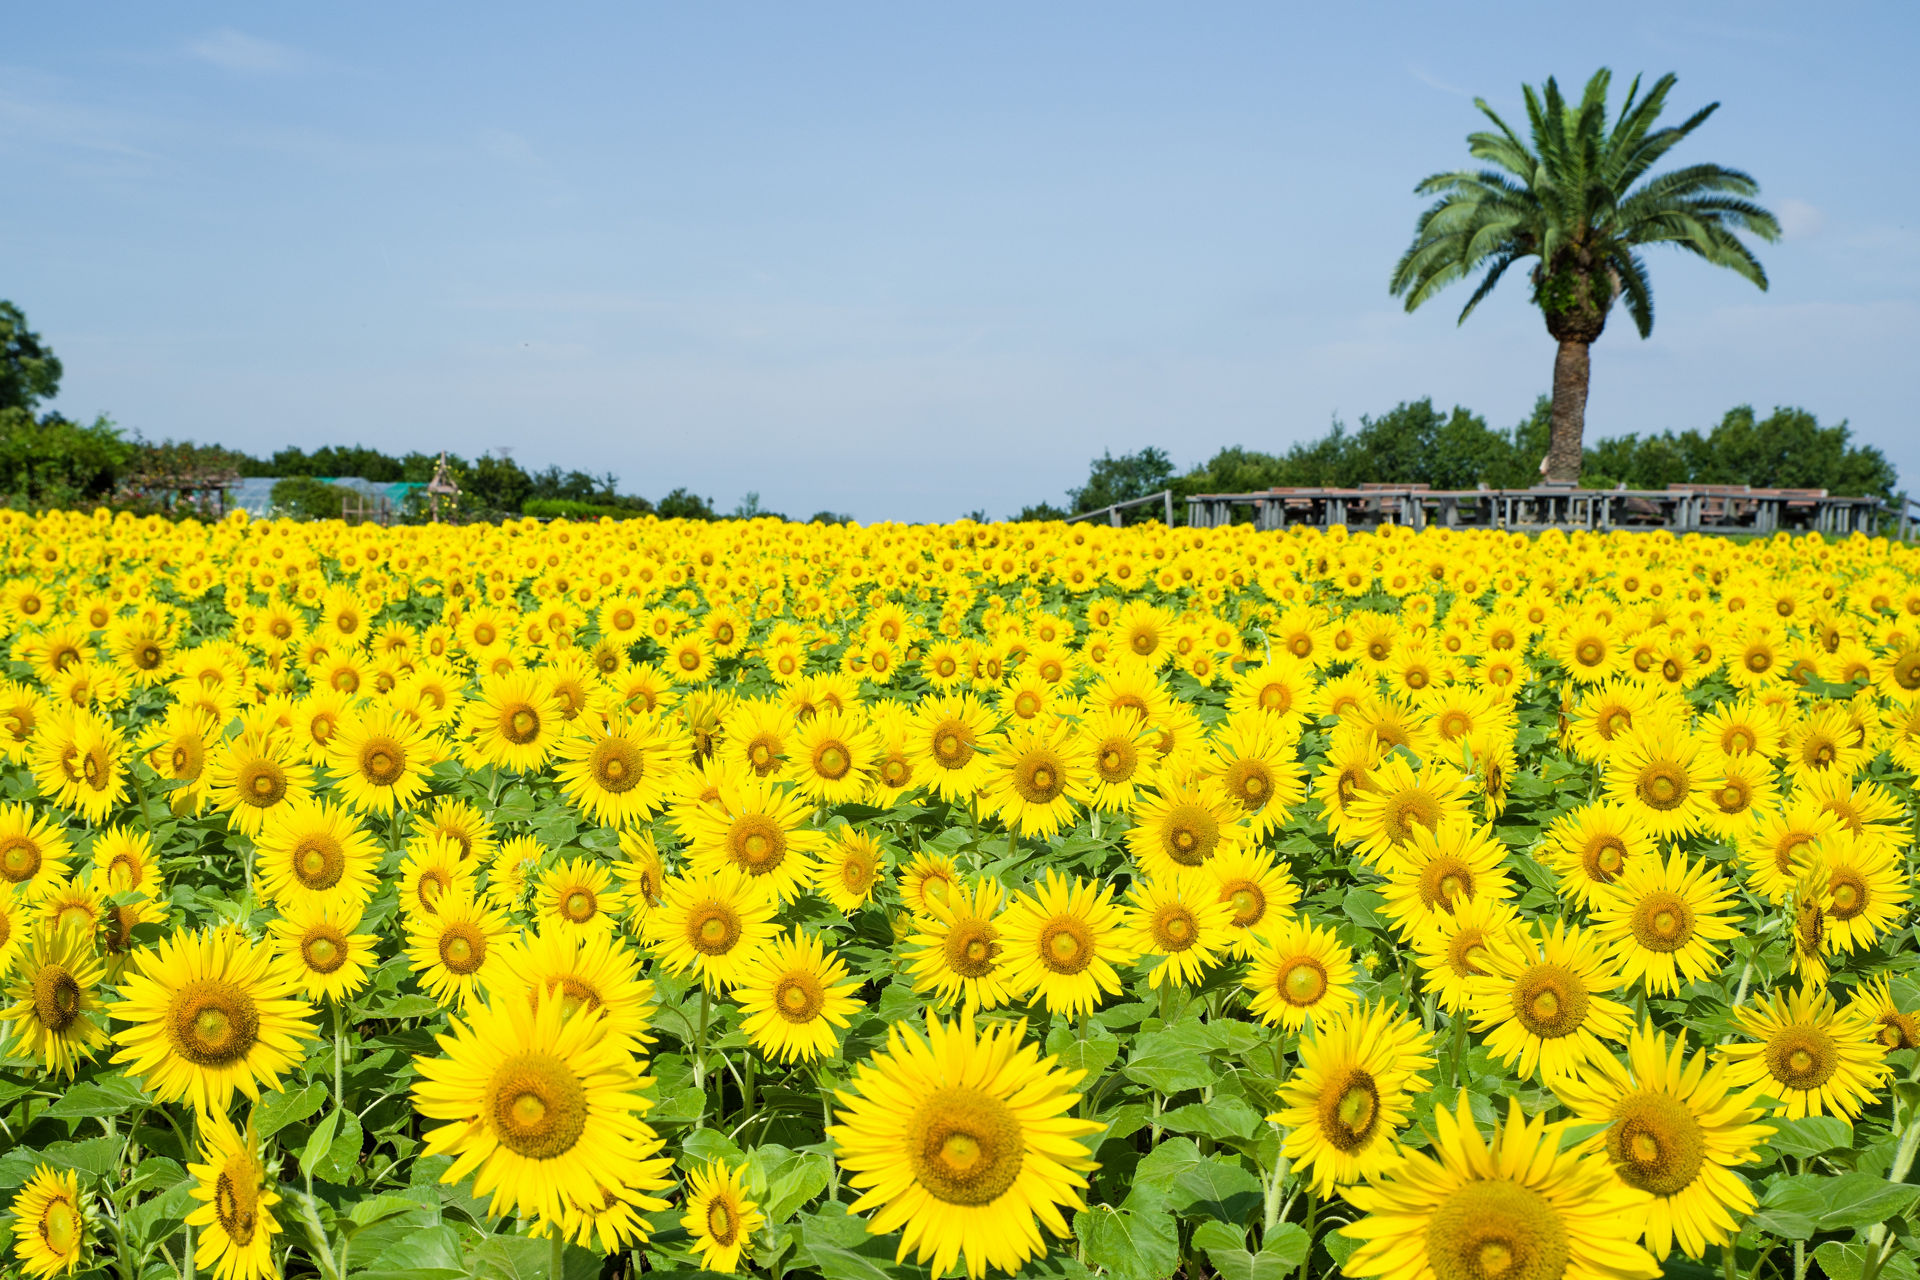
x,y
1458,450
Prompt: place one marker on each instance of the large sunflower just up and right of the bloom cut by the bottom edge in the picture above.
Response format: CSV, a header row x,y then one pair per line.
x,y
1675,1131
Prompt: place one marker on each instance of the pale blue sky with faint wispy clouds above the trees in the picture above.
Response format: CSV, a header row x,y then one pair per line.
x,y
901,262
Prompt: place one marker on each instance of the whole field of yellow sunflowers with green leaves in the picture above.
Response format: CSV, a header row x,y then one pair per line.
x,y
907,903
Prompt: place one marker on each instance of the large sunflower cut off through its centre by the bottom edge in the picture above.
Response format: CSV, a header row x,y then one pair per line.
x,y
1516,1206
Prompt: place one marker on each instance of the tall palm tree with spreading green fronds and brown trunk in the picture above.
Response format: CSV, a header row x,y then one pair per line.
x,y
1581,202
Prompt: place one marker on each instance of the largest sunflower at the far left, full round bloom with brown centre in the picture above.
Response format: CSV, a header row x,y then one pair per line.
x,y
210,1014
